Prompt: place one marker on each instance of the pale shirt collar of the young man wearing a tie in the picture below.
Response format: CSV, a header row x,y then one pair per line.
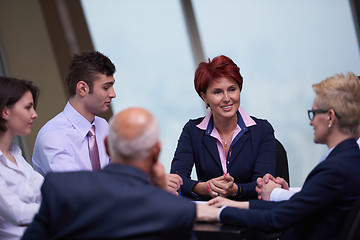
x,y
81,124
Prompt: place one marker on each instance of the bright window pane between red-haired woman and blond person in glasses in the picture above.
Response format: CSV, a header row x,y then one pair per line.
x,y
282,47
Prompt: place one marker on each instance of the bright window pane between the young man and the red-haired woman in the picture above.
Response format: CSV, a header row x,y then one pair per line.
x,y
147,41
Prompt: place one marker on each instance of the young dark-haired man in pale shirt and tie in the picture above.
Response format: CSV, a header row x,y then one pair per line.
x,y
62,144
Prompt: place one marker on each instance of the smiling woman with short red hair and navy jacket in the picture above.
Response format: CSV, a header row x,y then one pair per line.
x,y
229,148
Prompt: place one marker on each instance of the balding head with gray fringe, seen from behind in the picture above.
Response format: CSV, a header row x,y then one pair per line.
x,y
133,133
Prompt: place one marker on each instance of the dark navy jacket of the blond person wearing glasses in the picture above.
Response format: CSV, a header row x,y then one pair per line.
x,y
319,210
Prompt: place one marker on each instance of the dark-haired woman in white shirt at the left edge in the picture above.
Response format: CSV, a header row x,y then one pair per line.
x,y
20,195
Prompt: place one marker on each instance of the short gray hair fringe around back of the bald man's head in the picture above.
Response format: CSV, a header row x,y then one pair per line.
x,y
139,147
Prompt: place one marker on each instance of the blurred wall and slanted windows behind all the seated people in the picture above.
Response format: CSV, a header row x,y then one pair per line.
x,y
282,47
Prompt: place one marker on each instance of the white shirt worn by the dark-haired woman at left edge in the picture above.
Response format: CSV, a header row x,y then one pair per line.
x,y
20,194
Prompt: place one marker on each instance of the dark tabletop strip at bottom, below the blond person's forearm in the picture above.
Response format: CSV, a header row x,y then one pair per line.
x,y
212,231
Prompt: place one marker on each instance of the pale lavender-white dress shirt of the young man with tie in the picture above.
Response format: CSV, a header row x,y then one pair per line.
x,y
62,143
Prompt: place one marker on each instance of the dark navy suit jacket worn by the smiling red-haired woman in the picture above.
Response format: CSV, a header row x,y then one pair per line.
x,y
252,156
